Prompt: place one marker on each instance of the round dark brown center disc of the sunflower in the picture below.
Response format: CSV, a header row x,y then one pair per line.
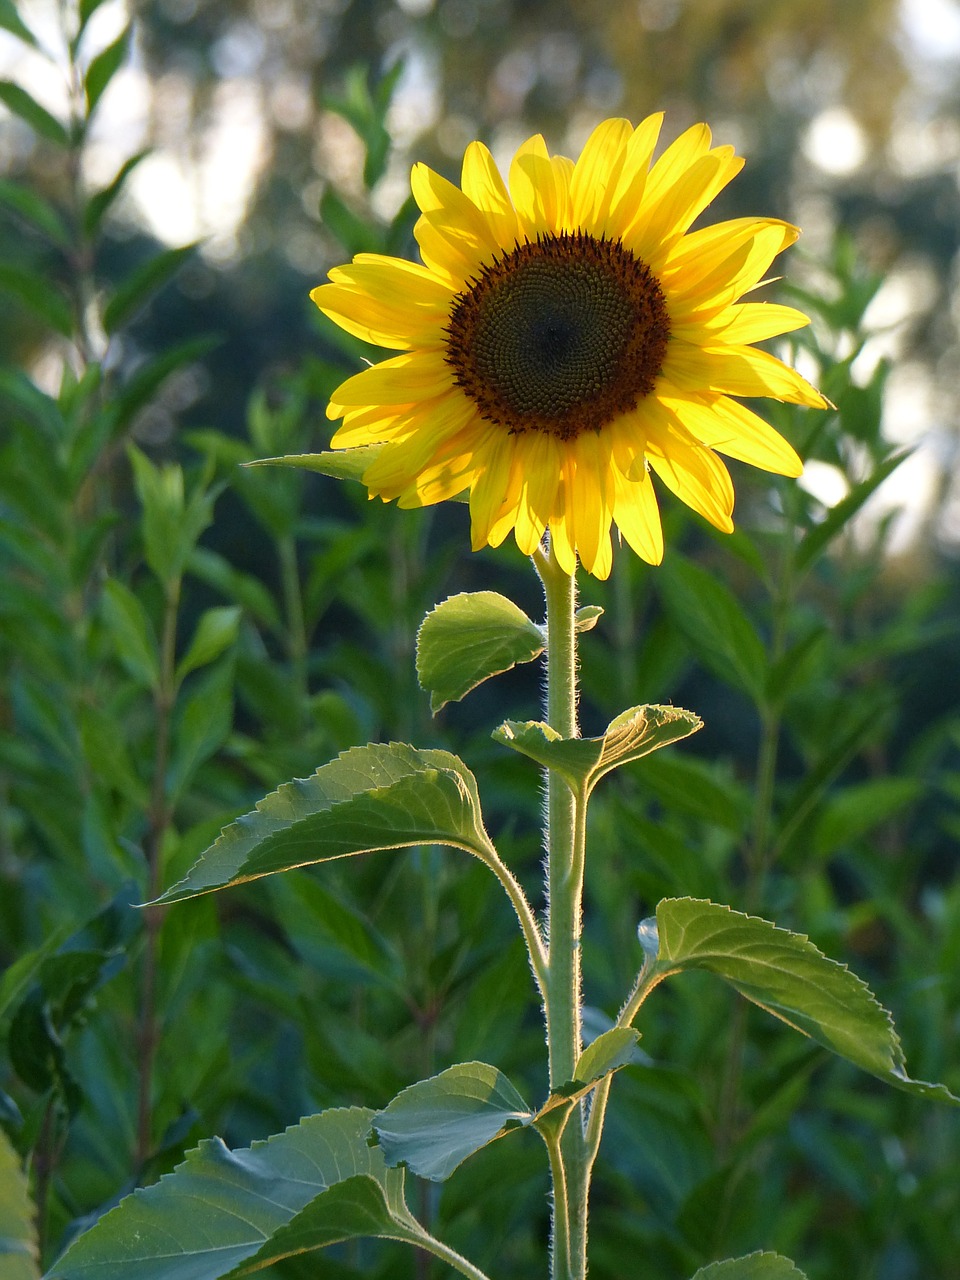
x,y
560,336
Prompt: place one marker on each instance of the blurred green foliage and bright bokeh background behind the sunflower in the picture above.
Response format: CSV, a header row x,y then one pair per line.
x,y
179,636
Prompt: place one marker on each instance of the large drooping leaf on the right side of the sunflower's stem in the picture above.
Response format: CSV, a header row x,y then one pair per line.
x,y
789,977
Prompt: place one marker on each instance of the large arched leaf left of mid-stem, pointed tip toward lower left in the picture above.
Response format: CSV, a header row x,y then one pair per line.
x,y
371,798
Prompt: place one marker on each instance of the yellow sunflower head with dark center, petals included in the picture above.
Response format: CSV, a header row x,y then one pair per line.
x,y
566,336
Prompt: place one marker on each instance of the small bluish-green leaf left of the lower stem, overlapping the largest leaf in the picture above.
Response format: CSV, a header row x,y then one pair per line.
x,y
435,1126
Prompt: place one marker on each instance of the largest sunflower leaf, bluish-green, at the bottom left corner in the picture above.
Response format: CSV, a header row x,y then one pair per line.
x,y
225,1213
